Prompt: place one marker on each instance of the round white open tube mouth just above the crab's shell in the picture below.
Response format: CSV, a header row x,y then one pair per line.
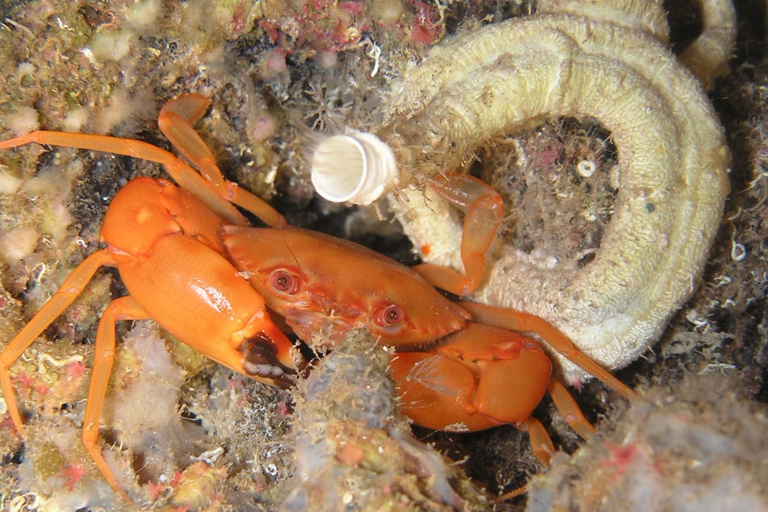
x,y
356,167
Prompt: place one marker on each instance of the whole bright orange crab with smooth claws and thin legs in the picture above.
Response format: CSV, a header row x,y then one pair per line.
x,y
184,254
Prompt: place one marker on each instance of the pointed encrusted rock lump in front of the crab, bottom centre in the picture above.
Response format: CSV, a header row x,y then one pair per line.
x,y
353,451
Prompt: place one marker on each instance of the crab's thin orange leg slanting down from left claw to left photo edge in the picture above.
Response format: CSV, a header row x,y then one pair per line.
x,y
66,294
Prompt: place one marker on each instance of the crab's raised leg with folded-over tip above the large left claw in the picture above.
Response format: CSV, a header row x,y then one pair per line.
x,y
175,121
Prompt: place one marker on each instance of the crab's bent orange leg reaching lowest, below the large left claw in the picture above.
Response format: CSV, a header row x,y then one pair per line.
x,y
124,308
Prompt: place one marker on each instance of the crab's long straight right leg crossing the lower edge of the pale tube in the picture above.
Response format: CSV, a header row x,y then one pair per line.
x,y
519,321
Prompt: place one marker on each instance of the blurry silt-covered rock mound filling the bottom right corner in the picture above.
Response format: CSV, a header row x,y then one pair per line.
x,y
695,445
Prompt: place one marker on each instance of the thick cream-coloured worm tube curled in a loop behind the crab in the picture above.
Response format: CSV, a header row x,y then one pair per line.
x,y
671,149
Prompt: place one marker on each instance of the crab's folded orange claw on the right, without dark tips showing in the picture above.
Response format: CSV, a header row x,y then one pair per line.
x,y
479,378
